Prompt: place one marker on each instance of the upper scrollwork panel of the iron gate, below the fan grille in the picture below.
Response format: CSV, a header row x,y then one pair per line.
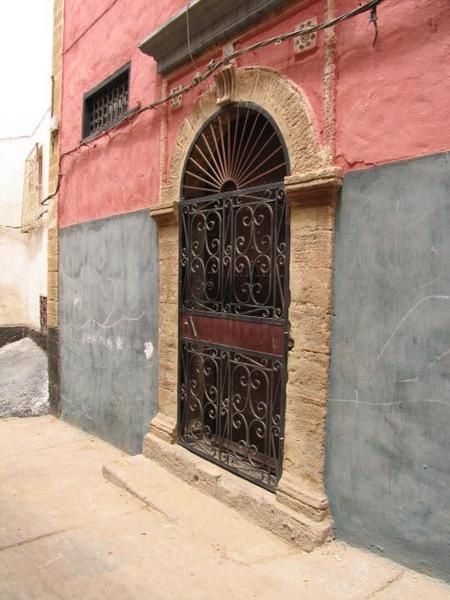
x,y
234,253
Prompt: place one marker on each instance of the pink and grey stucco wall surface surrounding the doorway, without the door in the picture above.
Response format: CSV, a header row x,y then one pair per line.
x,y
387,472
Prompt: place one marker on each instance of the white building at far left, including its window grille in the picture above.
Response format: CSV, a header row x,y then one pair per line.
x,y
24,155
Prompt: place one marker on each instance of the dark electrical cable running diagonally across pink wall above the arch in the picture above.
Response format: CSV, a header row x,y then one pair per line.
x,y
214,66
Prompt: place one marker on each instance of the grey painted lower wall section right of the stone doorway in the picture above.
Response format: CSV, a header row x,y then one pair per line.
x,y
388,470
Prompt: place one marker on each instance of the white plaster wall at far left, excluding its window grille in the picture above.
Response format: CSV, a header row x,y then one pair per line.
x,y
26,39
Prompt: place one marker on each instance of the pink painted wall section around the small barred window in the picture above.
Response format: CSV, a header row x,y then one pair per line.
x,y
119,173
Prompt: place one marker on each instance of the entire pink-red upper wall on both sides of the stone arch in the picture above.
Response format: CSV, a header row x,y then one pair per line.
x,y
391,100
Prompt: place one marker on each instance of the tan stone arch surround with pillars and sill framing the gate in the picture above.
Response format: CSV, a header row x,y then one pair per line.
x,y
299,510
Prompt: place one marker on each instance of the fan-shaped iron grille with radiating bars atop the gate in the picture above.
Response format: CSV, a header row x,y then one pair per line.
x,y
239,148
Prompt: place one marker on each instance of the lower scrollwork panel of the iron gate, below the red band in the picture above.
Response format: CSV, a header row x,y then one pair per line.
x,y
231,402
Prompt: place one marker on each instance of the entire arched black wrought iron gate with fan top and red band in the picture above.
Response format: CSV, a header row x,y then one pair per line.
x,y
234,240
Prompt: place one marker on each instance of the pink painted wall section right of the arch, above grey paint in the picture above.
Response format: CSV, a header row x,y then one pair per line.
x,y
393,101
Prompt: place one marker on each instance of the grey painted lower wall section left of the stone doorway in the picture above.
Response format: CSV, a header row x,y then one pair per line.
x,y
109,327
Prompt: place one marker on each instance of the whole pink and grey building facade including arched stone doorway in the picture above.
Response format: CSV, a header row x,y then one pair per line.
x,y
250,253
